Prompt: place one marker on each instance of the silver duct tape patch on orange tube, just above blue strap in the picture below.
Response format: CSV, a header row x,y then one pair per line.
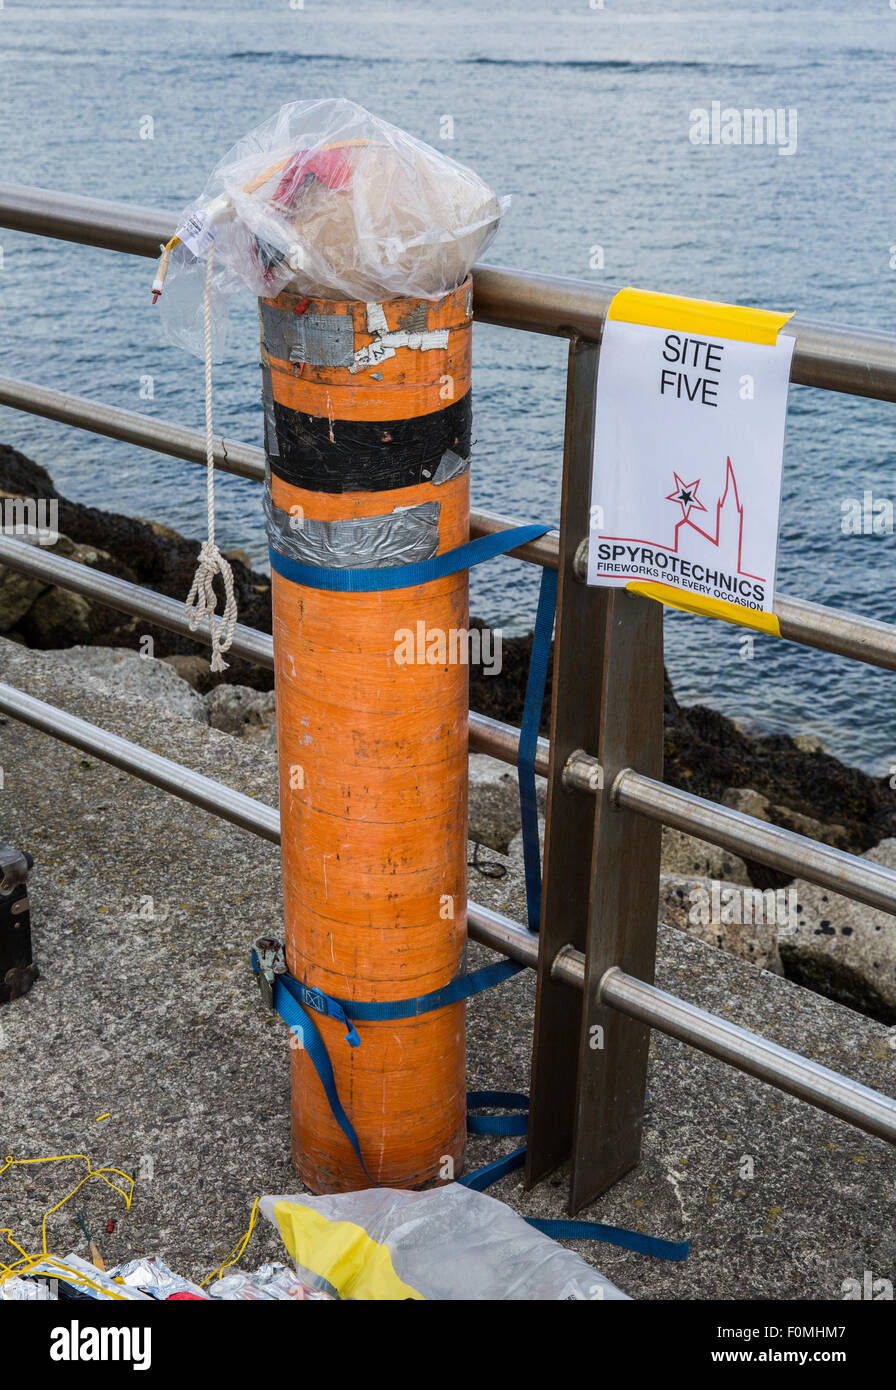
x,y
402,537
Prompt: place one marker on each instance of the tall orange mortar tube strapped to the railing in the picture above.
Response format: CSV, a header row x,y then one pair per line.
x,y
373,753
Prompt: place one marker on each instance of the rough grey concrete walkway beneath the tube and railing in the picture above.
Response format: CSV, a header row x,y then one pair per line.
x,y
142,913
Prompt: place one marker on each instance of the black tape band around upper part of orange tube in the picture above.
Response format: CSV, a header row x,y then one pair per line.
x,y
363,455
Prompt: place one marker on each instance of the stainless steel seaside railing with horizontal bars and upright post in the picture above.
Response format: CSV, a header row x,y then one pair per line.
x,y
602,858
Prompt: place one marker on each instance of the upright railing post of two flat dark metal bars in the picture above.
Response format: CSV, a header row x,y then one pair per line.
x,y
602,865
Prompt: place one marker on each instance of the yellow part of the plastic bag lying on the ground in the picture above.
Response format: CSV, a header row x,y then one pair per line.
x,y
342,1253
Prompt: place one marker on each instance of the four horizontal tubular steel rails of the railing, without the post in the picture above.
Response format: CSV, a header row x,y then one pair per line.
x,y
831,357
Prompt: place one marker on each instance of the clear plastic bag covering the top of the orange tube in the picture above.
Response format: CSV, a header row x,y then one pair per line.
x,y
329,201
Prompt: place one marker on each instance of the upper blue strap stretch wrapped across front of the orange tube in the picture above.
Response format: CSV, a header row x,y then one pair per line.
x,y
405,576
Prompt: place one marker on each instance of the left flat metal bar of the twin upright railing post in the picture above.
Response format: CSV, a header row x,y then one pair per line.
x,y
576,723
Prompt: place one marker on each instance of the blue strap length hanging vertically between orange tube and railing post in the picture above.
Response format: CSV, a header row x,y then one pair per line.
x,y
529,744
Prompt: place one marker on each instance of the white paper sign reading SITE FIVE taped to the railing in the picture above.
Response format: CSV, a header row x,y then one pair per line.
x,y
688,452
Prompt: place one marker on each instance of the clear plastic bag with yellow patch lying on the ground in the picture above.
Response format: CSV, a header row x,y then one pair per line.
x,y
445,1243
